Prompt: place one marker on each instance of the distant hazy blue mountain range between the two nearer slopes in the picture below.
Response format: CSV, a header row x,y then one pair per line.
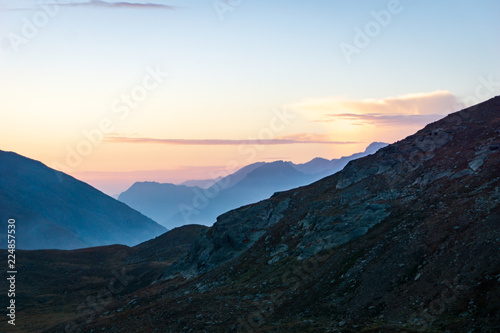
x,y
175,205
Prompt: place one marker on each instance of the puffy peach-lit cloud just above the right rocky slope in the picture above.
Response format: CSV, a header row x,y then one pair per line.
x,y
410,109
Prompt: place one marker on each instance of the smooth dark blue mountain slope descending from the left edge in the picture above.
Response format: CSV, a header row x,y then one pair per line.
x,y
55,210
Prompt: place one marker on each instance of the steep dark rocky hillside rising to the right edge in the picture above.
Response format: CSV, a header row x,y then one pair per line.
x,y
406,240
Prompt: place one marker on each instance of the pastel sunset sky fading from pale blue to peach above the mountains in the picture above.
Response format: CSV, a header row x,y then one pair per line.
x,y
114,92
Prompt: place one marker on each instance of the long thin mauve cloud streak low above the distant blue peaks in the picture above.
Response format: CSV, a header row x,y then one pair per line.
x,y
301,138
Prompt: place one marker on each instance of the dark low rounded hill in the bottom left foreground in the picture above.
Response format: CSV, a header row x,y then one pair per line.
x,y
54,285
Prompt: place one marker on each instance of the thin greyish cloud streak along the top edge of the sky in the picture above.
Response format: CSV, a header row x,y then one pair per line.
x,y
100,3
